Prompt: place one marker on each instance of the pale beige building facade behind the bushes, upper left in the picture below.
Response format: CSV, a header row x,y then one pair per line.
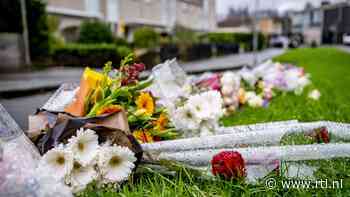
x,y
127,15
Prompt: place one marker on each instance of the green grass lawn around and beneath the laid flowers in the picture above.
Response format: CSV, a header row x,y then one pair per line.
x,y
330,73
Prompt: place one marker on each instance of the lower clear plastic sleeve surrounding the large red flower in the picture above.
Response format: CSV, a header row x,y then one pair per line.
x,y
297,161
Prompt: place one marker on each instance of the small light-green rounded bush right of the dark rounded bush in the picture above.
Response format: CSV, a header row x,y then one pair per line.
x,y
146,37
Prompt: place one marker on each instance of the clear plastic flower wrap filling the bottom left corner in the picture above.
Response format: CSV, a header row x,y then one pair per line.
x,y
18,161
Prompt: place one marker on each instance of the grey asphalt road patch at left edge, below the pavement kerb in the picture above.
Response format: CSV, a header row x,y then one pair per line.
x,y
20,107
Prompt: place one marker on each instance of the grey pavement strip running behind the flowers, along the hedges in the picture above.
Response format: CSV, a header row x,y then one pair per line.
x,y
52,78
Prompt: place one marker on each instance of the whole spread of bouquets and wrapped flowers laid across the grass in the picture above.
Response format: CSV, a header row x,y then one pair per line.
x,y
128,122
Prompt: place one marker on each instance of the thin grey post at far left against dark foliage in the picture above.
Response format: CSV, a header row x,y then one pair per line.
x,y
25,32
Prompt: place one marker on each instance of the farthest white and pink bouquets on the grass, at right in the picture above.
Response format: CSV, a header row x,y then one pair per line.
x,y
256,87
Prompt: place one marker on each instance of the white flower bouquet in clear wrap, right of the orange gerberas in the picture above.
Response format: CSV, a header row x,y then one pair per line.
x,y
194,112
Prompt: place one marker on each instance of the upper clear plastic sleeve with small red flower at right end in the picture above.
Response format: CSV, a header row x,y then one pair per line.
x,y
266,135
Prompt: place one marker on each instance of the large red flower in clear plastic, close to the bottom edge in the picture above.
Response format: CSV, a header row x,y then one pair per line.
x,y
229,164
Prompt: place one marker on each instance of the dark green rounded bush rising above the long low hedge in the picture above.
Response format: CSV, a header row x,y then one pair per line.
x,y
95,32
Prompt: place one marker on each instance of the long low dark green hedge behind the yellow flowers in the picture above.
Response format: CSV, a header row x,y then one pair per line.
x,y
93,55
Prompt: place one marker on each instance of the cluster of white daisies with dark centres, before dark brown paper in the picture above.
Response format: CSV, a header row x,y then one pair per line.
x,y
83,160
